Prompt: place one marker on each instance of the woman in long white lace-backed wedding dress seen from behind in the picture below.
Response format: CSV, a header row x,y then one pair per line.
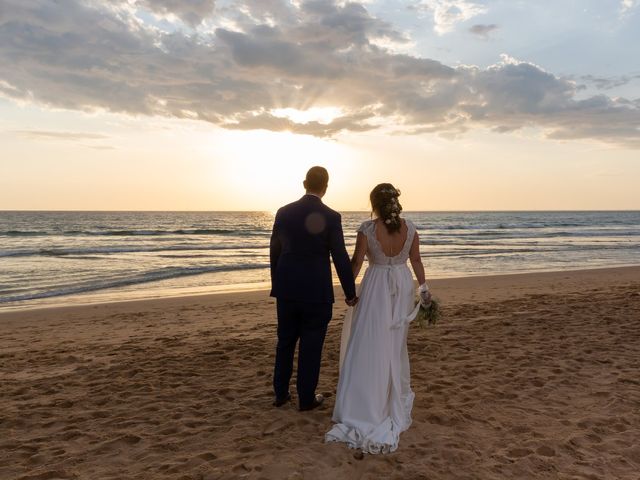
x,y
374,398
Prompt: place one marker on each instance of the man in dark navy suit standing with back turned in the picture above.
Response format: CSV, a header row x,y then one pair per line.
x,y
305,233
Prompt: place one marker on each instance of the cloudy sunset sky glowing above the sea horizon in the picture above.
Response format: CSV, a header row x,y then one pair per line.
x,y
224,104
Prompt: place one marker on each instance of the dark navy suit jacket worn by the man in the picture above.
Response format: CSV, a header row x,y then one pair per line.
x,y
305,234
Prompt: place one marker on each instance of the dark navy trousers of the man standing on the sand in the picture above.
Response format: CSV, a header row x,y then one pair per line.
x,y
308,323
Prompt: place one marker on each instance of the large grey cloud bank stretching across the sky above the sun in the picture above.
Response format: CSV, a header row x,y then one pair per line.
x,y
275,55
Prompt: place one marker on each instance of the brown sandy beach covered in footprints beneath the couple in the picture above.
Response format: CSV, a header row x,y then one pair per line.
x,y
527,376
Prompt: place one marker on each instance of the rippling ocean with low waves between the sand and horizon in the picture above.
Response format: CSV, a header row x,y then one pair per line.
x,y
61,258
